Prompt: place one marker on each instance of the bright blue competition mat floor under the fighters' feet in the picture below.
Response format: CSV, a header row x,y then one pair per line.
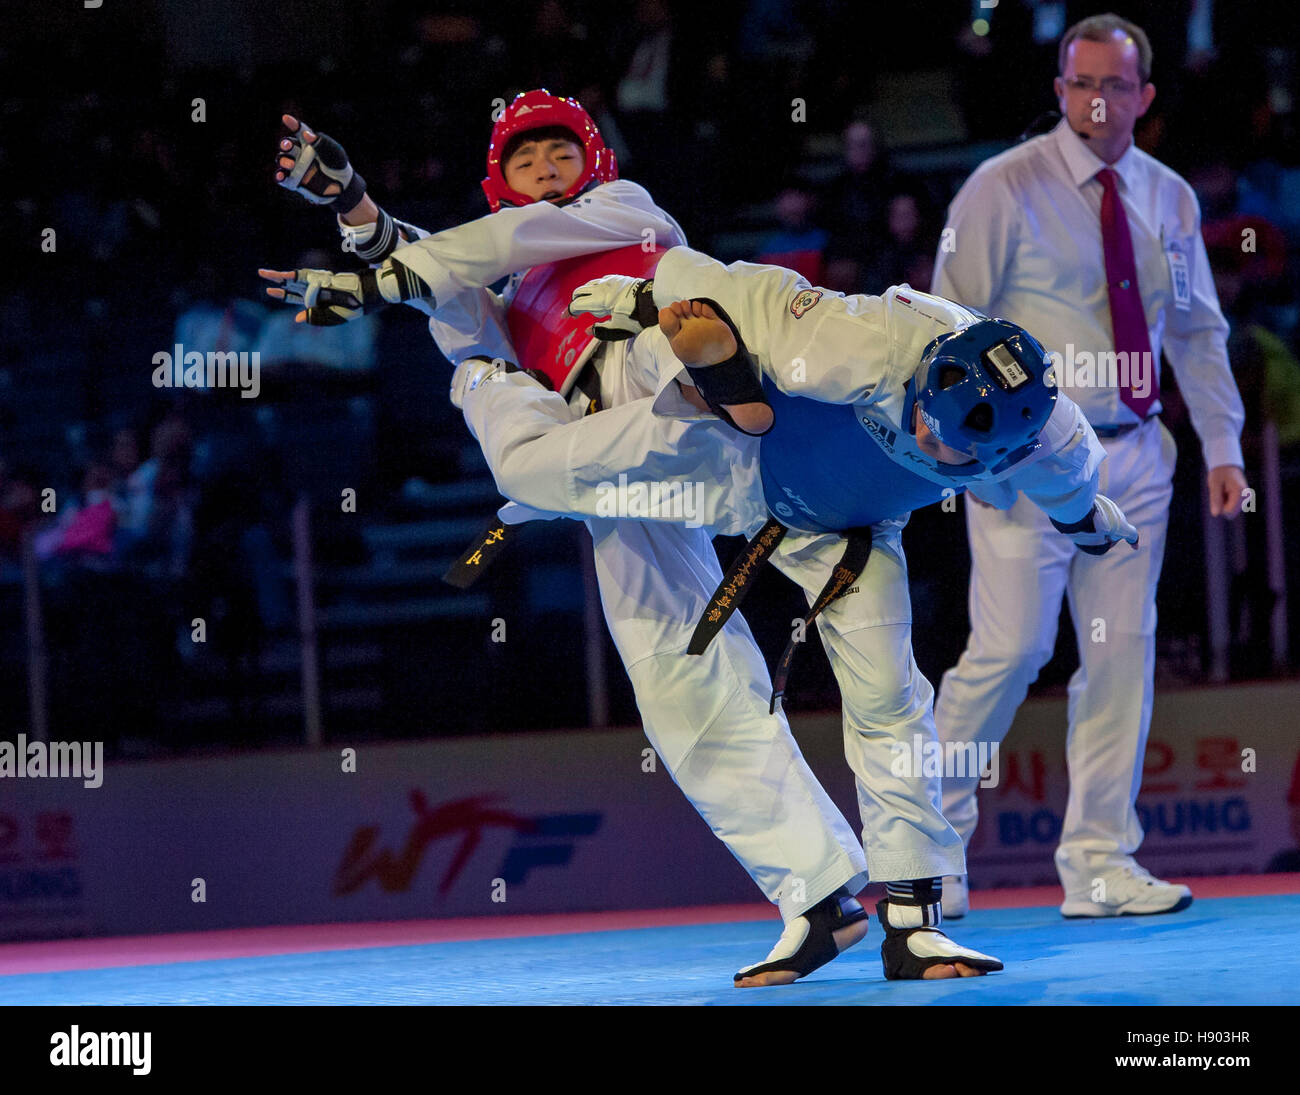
x,y
1221,951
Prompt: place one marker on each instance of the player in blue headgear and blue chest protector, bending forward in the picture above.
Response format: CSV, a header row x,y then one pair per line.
x,y
870,406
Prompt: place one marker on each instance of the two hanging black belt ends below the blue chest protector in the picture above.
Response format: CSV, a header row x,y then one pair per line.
x,y
740,575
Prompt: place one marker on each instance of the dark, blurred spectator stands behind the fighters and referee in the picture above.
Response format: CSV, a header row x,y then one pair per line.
x,y
822,135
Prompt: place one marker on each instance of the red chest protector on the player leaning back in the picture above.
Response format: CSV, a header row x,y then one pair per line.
x,y
545,336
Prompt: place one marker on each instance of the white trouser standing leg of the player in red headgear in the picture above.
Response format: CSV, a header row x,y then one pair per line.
x,y
708,720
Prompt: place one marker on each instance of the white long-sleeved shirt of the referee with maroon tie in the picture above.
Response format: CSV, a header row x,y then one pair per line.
x,y
1024,243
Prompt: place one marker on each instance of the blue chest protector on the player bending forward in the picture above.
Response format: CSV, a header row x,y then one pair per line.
x,y
822,473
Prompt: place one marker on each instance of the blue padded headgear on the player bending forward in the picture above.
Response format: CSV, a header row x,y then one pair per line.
x,y
987,391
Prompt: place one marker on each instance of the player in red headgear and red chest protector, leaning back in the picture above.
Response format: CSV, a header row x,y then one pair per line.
x,y
560,217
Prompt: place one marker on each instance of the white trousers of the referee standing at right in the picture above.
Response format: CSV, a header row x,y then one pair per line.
x,y
1021,566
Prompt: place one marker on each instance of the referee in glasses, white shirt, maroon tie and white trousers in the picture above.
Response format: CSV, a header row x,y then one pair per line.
x,y
1097,248
